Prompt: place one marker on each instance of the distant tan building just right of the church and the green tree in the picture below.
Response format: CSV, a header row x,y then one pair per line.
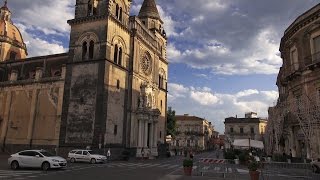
x,y
192,133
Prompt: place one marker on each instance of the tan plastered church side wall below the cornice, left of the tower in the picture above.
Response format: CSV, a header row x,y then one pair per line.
x,y
32,117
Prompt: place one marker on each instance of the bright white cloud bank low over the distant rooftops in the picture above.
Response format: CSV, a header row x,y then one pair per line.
x,y
203,102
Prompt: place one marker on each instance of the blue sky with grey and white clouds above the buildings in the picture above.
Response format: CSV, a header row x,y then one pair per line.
x,y
223,54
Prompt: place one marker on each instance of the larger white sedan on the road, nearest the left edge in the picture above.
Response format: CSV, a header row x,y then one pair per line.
x,y
36,159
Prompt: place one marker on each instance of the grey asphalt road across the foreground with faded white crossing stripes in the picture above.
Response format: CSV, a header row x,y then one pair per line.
x,y
158,169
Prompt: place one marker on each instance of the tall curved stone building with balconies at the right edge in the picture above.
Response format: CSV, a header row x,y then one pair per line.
x,y
294,122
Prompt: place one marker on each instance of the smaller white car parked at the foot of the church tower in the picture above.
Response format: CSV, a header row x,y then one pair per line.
x,y
79,155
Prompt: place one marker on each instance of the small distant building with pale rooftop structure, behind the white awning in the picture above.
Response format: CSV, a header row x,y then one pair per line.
x,y
251,126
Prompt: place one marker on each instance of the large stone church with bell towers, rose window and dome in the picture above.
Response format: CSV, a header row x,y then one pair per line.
x,y
108,90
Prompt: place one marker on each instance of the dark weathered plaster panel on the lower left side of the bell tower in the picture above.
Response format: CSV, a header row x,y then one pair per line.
x,y
82,104
